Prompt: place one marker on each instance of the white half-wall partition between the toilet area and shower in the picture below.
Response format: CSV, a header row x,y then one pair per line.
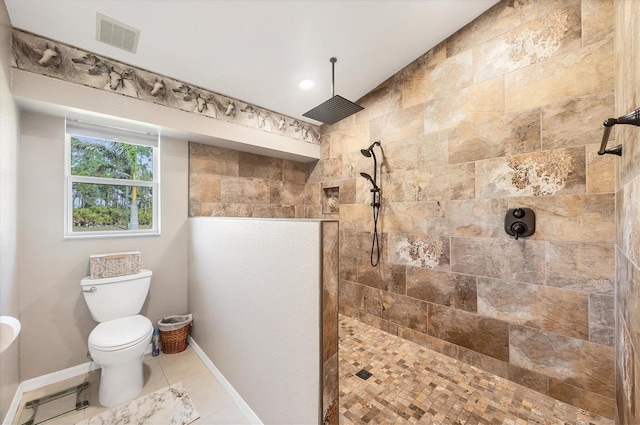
x,y
255,294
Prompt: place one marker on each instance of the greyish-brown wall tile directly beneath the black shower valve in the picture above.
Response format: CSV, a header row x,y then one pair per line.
x,y
521,260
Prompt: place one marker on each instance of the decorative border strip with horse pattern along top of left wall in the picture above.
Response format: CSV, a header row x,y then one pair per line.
x,y
43,56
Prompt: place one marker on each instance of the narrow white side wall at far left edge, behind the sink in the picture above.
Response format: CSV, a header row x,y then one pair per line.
x,y
9,261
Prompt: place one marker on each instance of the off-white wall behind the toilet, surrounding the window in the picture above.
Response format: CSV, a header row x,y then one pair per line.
x,y
55,320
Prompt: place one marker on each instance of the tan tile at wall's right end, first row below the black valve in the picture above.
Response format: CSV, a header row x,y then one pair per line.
x,y
585,267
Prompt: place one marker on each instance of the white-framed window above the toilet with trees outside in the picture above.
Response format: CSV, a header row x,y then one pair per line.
x,y
112,181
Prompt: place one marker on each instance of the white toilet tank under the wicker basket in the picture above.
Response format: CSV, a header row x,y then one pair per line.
x,y
115,297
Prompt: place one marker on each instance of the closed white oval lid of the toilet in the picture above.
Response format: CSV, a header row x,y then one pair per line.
x,y
120,333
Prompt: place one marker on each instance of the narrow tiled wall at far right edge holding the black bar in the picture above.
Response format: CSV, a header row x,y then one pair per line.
x,y
627,71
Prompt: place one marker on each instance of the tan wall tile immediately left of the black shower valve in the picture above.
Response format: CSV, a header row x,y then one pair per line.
x,y
468,217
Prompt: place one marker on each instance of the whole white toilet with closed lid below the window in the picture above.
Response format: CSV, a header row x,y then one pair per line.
x,y
119,341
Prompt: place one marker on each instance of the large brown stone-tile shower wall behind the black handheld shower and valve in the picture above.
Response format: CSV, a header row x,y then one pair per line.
x,y
507,112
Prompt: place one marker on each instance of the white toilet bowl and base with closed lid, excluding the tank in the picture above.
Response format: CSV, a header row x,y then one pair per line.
x,y
118,347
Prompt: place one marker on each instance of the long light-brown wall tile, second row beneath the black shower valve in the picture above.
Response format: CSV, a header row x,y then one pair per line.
x,y
551,309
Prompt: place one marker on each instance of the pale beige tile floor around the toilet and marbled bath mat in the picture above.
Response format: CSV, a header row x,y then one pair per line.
x,y
213,403
